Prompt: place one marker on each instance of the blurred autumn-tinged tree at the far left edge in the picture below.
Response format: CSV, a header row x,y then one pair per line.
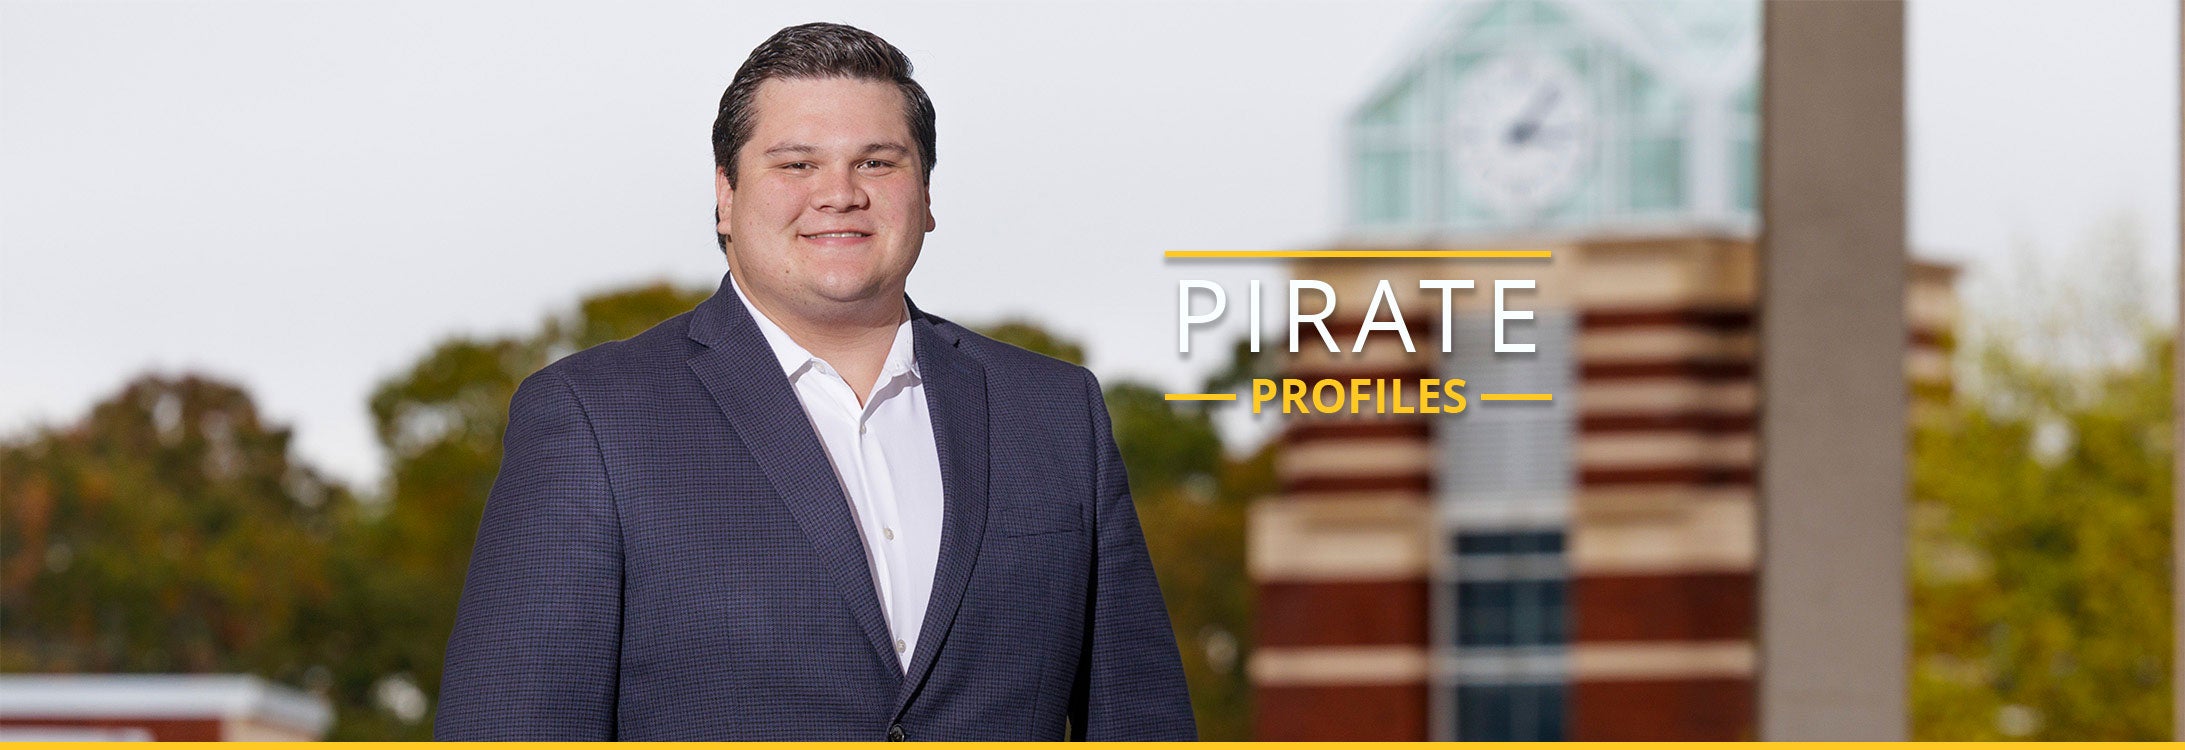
x,y
172,530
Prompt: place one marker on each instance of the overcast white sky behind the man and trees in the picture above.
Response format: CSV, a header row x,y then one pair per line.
x,y
305,196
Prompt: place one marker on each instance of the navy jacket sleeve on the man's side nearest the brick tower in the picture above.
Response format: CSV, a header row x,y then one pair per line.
x,y
1133,683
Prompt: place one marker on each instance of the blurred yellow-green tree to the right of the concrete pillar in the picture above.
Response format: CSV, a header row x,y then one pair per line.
x,y
2042,543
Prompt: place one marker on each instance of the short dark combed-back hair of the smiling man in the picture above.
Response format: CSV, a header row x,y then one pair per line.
x,y
818,51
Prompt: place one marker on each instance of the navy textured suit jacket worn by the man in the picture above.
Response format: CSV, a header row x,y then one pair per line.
x,y
668,554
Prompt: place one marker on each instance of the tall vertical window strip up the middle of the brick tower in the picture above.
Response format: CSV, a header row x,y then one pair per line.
x,y
1502,581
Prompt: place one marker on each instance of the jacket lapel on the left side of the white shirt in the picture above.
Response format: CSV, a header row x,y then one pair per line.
x,y
766,414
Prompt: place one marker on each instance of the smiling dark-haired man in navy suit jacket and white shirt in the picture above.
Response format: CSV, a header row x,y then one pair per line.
x,y
810,511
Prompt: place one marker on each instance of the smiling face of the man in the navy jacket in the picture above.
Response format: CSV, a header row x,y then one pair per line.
x,y
829,207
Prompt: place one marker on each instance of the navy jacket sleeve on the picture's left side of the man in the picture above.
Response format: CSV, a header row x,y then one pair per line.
x,y
539,633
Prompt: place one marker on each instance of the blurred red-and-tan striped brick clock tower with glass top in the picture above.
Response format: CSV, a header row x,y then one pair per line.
x,y
1568,570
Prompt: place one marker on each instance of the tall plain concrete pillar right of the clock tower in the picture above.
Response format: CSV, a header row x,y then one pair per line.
x,y
1832,482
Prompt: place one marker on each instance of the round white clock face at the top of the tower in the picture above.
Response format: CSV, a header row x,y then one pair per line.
x,y
1522,132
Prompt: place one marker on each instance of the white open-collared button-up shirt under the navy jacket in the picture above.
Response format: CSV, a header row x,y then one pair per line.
x,y
888,465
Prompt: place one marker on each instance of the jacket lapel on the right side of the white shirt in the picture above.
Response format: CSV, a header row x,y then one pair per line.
x,y
956,397
